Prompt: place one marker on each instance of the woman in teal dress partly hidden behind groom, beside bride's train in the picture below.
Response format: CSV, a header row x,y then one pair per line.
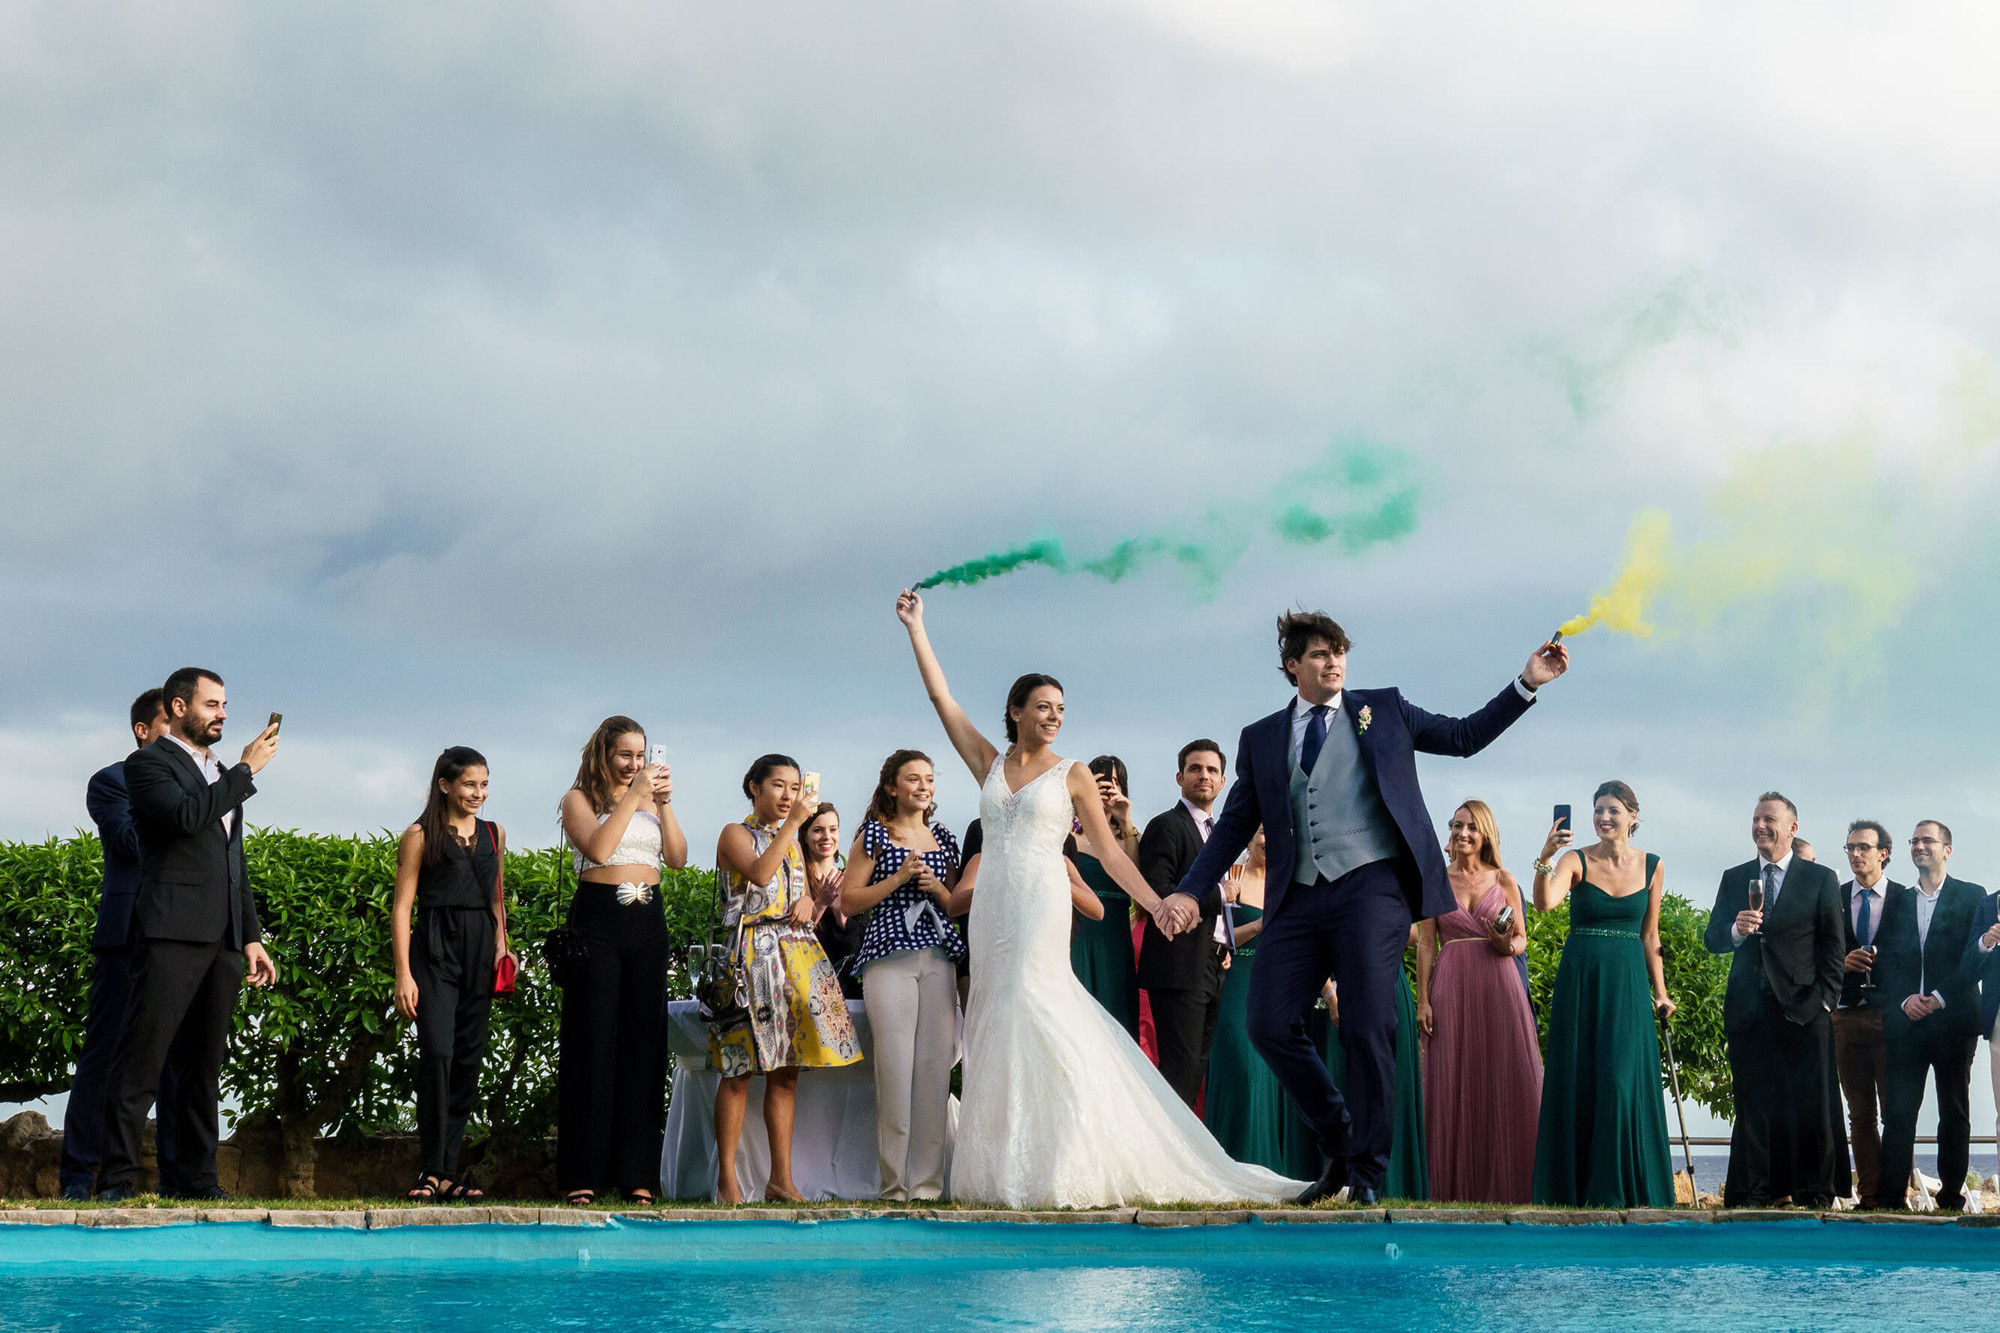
x,y
1245,1106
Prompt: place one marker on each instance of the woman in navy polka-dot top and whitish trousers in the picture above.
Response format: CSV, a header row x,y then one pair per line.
x,y
901,872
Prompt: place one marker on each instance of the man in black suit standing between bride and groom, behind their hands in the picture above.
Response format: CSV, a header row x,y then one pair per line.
x,y
1183,976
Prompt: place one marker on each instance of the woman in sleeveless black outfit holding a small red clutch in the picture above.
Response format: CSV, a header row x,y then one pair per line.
x,y
451,870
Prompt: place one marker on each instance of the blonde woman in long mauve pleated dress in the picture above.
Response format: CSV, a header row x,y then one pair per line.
x,y
1483,1066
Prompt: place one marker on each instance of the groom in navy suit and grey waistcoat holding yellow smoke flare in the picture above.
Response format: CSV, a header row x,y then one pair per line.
x,y
1353,860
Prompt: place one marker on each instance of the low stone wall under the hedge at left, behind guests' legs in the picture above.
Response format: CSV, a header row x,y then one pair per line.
x,y
249,1166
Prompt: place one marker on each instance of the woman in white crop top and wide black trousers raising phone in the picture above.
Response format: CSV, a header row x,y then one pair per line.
x,y
611,1070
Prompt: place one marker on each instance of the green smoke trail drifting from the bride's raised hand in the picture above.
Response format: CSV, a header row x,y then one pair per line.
x,y
1355,497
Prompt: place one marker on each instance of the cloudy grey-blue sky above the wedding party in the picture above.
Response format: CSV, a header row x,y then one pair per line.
x,y
465,373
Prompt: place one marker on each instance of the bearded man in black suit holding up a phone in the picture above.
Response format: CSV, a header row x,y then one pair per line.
x,y
195,930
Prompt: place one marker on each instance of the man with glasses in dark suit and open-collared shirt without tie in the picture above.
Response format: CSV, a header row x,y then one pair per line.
x,y
1931,1016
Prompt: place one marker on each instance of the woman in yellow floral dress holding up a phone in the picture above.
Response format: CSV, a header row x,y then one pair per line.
x,y
797,1016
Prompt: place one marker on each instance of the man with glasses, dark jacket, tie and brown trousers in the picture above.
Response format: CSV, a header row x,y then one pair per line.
x,y
1861,1052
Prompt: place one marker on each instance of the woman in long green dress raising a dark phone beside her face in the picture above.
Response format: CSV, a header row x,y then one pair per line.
x,y
1603,1134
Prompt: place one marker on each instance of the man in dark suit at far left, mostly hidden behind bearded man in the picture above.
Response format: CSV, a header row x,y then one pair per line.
x,y
111,976
